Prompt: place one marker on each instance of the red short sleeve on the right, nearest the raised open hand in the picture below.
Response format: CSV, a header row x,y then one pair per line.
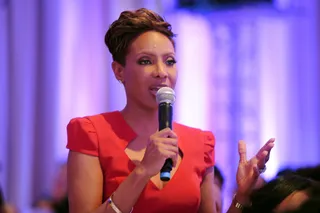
x,y
209,143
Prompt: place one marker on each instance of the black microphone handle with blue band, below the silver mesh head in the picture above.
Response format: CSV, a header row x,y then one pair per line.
x,y
165,120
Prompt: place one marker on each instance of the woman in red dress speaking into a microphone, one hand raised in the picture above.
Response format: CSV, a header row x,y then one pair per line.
x,y
115,158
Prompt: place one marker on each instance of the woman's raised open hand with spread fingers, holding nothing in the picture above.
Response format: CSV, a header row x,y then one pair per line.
x,y
248,171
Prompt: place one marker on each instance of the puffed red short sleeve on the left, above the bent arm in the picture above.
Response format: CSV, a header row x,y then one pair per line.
x,y
82,136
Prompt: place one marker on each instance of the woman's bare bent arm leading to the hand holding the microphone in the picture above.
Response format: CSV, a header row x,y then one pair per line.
x,y
85,186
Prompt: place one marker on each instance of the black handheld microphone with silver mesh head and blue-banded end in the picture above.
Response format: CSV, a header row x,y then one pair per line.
x,y
165,97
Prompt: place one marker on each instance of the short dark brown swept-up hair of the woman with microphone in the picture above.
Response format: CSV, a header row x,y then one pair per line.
x,y
129,26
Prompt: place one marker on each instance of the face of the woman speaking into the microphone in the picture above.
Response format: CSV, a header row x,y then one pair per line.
x,y
150,64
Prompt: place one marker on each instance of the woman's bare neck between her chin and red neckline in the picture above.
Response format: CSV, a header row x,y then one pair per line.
x,y
143,122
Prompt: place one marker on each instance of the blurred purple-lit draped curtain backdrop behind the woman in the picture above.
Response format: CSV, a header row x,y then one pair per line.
x,y
248,69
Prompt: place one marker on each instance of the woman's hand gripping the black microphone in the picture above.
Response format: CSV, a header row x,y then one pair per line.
x,y
161,145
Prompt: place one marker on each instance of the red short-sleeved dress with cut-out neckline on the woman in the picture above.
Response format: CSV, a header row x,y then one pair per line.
x,y
107,135
